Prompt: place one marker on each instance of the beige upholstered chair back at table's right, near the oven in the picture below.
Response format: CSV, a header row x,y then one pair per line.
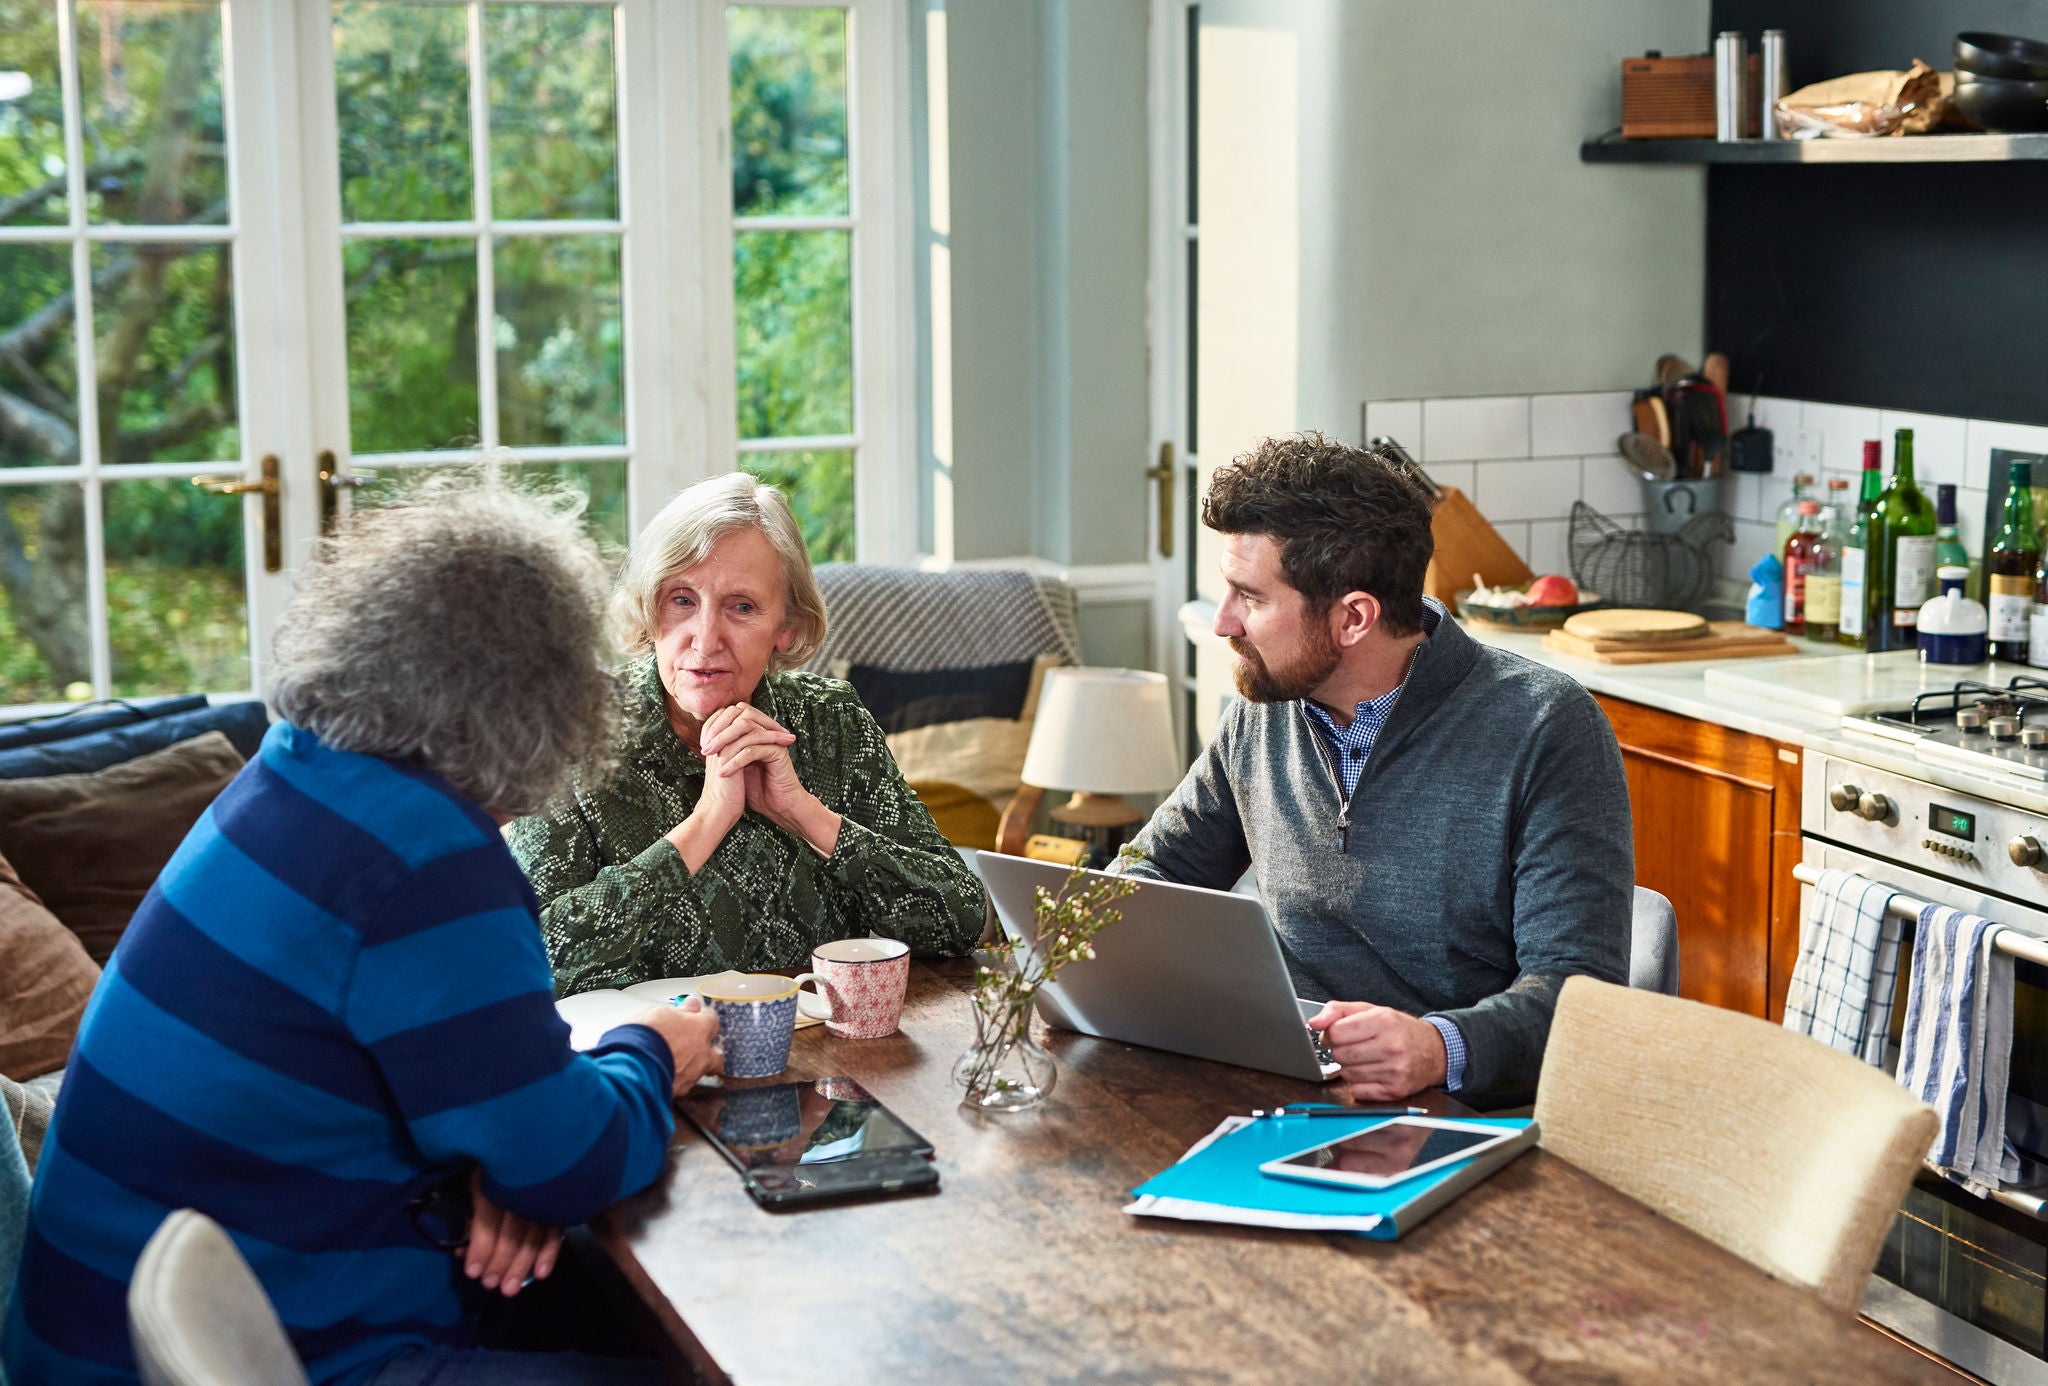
x,y
1768,1143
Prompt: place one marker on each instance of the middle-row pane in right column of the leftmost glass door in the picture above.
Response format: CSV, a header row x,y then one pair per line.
x,y
165,333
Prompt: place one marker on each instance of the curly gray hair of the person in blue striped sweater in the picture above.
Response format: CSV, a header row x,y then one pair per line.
x,y
458,630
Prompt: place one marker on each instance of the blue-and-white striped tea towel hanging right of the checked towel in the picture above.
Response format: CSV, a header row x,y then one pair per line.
x,y
1961,1043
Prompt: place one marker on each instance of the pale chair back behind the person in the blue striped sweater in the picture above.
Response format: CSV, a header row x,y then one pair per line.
x,y
198,1315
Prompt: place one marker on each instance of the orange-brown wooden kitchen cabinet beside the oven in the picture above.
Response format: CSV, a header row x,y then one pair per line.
x,y
1717,834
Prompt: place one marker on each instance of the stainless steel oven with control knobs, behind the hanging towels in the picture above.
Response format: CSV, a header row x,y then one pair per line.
x,y
1963,1276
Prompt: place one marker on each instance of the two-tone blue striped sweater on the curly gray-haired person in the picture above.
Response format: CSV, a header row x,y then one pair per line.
x,y
333,1000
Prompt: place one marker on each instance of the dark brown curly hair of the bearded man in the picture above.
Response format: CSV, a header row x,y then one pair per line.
x,y
1347,521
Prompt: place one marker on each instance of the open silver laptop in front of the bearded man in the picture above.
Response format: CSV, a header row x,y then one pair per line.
x,y
1187,969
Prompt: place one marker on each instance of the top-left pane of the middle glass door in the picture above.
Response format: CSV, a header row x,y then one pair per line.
x,y
402,110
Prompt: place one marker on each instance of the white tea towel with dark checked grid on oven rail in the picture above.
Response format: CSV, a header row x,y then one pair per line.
x,y
1848,967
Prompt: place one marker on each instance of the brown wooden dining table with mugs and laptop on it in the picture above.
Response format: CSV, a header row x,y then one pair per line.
x,y
1025,1268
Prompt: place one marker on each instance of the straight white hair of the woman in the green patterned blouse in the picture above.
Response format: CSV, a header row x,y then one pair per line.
x,y
689,529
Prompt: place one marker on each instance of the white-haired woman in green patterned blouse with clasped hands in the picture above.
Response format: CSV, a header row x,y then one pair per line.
x,y
755,812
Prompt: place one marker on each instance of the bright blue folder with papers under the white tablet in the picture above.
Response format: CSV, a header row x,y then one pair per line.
x,y
1220,1180
